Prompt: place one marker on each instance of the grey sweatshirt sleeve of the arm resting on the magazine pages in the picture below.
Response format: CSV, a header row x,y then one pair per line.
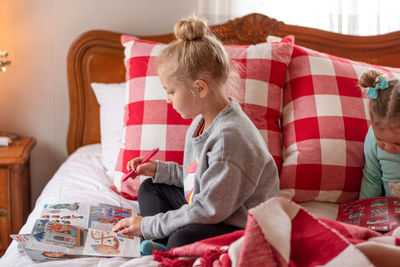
x,y
224,187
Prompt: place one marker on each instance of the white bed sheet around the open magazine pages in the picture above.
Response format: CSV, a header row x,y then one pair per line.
x,y
80,178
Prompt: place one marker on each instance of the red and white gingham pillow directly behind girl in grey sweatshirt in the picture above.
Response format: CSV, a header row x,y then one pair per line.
x,y
150,122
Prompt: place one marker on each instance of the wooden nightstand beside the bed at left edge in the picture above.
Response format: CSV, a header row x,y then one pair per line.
x,y
15,193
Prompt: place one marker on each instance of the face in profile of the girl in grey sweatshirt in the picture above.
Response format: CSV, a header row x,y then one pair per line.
x,y
183,99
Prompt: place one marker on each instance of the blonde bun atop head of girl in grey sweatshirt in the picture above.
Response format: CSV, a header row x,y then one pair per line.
x,y
190,28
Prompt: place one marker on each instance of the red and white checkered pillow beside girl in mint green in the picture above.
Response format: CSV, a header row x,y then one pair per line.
x,y
325,119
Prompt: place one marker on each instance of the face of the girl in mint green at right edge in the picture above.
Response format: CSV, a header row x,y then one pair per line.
x,y
388,139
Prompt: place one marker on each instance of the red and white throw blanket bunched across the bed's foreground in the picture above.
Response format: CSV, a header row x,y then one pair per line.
x,y
282,233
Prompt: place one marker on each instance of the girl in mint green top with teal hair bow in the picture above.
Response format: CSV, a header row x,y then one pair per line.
x,y
382,143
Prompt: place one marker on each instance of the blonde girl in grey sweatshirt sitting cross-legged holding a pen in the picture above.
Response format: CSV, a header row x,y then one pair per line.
x,y
227,168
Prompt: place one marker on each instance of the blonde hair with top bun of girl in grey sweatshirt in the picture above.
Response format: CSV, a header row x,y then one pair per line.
x,y
195,54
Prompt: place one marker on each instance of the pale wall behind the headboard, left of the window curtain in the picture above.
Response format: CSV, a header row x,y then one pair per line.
x,y
37,34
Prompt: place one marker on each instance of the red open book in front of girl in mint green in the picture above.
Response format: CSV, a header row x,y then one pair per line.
x,y
379,213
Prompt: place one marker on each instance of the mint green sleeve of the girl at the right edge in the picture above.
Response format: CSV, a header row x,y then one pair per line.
x,y
371,184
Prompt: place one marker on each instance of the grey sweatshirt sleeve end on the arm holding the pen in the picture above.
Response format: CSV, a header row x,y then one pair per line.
x,y
169,173
